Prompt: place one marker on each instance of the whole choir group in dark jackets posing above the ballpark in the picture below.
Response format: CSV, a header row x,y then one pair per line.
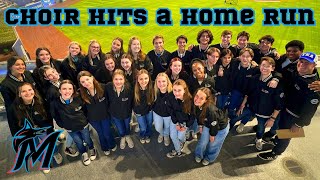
x,y
189,91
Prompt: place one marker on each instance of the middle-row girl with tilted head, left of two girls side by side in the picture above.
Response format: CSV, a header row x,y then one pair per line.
x,y
104,73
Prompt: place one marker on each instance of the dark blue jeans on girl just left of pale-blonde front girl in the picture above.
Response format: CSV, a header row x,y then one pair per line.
x,y
145,124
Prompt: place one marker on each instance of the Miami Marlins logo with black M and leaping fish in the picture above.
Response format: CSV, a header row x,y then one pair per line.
x,y
25,145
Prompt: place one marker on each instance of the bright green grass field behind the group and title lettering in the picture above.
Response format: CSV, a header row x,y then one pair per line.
x,y
308,34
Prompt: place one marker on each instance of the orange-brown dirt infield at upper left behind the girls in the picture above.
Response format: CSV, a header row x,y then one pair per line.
x,y
49,36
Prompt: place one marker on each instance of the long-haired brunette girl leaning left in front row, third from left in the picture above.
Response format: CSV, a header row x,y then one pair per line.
x,y
94,96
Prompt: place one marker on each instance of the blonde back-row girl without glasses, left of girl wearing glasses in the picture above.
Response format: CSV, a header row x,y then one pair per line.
x,y
72,64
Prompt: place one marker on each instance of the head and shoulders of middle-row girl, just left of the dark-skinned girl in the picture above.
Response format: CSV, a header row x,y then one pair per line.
x,y
175,70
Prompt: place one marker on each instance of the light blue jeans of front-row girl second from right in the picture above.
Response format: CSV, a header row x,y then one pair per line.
x,y
177,137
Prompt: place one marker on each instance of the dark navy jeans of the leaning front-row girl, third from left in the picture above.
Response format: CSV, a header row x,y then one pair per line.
x,y
103,129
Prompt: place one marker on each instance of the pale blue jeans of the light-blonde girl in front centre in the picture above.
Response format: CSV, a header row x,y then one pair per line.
x,y
162,124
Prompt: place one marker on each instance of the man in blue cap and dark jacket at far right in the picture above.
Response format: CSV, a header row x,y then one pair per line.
x,y
301,103
